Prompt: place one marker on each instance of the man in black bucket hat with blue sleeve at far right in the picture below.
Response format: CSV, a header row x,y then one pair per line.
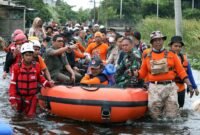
x,y
176,45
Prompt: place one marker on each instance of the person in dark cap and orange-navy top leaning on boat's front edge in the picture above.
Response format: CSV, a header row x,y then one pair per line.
x,y
95,75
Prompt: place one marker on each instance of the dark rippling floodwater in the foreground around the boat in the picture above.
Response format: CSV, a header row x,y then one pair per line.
x,y
47,124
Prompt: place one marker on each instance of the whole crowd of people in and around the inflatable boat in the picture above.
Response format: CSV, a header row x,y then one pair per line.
x,y
81,54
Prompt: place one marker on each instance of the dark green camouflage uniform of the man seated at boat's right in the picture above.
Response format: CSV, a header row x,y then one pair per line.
x,y
130,62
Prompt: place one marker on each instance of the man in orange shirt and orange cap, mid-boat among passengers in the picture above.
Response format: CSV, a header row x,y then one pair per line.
x,y
98,48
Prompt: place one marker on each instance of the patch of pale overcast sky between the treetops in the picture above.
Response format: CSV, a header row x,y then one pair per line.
x,y
82,3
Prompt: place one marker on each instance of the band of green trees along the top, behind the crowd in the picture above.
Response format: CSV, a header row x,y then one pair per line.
x,y
132,10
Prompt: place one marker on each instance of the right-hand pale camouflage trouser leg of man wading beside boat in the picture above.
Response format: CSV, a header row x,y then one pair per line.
x,y
171,102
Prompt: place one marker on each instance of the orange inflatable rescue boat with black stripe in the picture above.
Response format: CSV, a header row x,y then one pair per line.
x,y
102,105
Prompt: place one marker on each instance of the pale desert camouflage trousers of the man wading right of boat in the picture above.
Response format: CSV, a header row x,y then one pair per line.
x,y
162,100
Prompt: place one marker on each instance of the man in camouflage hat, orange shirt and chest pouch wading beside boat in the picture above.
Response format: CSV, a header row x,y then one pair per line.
x,y
161,67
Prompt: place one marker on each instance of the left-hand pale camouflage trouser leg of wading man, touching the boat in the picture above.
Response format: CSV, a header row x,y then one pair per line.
x,y
155,104
